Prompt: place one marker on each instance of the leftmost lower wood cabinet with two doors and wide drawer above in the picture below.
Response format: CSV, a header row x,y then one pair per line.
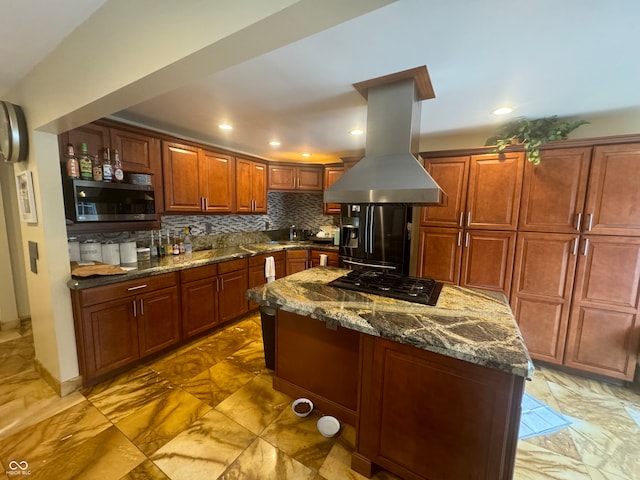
x,y
121,323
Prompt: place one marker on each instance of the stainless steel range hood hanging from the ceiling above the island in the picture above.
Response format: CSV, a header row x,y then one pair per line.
x,y
390,171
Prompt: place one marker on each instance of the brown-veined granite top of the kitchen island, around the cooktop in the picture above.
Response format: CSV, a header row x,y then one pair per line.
x,y
466,324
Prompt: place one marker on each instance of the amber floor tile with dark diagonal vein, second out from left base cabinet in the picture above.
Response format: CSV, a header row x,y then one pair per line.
x,y
152,426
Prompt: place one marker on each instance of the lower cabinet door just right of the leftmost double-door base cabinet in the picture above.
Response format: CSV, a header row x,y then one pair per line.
x,y
199,306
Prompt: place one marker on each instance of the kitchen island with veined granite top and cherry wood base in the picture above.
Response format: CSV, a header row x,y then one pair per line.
x,y
433,391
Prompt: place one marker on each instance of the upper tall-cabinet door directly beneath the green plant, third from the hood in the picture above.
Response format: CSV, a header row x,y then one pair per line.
x,y
553,192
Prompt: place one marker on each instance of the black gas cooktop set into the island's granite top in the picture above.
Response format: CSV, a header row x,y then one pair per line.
x,y
418,290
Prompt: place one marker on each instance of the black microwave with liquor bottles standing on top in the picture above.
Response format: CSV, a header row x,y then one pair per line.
x,y
90,201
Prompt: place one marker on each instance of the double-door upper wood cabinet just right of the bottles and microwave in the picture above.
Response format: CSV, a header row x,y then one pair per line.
x,y
197,180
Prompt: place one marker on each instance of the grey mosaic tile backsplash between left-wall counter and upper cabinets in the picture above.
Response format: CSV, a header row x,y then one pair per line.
x,y
284,209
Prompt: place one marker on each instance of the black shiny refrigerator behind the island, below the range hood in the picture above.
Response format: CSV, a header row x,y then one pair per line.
x,y
375,237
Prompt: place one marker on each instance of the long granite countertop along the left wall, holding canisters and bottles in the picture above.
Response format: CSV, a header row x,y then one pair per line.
x,y
173,263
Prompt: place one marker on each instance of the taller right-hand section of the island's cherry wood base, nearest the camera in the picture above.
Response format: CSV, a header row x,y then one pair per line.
x,y
428,416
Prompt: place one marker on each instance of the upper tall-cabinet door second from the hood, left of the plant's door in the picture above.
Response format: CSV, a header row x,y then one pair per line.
x,y
495,184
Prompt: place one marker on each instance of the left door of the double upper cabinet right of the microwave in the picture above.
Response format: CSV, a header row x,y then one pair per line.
x,y
180,165
